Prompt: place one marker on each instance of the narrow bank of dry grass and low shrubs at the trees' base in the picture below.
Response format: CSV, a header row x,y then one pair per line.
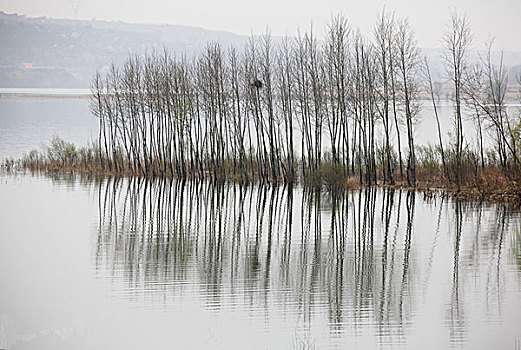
x,y
490,182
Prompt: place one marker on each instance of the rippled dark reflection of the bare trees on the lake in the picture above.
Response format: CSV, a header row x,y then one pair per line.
x,y
360,258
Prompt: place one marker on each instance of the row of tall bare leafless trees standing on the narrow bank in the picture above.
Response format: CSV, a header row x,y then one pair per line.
x,y
275,110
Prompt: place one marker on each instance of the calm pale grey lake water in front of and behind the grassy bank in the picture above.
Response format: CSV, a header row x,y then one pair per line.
x,y
135,264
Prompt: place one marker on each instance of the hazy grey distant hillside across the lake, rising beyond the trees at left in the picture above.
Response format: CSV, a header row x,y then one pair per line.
x,y
57,53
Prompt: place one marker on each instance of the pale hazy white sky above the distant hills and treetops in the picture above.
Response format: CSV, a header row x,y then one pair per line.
x,y
500,18
